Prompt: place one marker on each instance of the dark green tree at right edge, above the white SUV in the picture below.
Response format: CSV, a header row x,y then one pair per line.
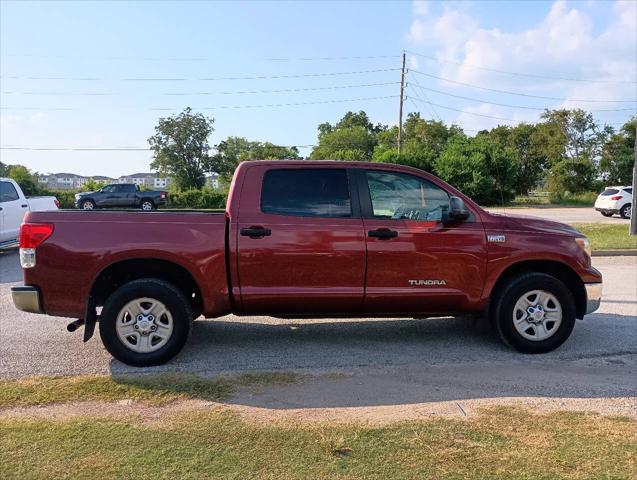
x,y
616,164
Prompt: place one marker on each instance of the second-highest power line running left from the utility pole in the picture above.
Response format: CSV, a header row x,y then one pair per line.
x,y
204,79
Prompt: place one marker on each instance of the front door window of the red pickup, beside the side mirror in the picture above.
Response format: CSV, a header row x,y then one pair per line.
x,y
400,196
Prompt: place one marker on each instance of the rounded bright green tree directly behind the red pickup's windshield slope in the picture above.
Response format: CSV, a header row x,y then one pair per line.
x,y
480,168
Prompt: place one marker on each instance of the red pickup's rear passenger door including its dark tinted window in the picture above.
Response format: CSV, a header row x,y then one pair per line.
x,y
300,242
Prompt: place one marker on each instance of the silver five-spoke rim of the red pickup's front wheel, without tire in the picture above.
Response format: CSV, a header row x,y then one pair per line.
x,y
537,315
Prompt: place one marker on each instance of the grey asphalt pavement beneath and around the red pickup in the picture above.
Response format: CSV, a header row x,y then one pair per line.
x,y
386,362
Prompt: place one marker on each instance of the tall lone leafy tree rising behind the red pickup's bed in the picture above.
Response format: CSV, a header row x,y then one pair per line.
x,y
181,149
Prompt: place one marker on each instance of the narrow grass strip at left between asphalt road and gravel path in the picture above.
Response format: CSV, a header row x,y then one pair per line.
x,y
156,389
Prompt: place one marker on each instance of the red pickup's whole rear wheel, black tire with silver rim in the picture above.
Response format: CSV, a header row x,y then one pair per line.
x,y
145,322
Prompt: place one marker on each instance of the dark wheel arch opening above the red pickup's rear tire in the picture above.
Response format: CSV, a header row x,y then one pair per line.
x,y
123,271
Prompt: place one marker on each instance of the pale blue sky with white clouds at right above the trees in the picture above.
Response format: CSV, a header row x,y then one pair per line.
x,y
100,74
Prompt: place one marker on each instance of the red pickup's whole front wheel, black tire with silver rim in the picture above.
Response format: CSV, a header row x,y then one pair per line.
x,y
534,313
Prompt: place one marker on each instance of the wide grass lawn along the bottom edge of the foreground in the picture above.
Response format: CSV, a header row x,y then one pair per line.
x,y
502,443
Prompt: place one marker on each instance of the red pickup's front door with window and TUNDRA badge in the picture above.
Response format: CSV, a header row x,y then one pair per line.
x,y
415,262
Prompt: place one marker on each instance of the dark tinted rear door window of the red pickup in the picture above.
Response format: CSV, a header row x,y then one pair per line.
x,y
308,192
